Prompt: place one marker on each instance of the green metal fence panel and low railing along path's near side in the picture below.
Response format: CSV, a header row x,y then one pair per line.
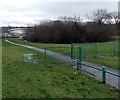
x,y
62,56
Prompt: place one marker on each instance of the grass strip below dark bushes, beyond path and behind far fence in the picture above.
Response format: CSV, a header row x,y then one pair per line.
x,y
88,49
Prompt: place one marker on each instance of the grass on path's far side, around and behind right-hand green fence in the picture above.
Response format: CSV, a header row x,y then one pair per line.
x,y
106,60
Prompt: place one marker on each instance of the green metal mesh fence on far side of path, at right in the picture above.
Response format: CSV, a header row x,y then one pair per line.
x,y
95,49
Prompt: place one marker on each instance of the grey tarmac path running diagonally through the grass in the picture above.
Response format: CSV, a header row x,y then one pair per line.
x,y
110,79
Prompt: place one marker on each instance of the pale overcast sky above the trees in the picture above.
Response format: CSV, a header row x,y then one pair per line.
x,y
24,12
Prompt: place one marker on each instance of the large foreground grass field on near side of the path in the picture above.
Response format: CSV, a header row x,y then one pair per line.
x,y
32,80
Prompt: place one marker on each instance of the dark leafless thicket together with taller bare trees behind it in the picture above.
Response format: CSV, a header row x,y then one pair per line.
x,y
73,30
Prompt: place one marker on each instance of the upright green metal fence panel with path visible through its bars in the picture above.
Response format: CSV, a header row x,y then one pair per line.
x,y
62,56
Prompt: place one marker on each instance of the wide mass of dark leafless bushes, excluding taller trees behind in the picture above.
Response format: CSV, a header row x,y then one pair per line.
x,y
69,32
